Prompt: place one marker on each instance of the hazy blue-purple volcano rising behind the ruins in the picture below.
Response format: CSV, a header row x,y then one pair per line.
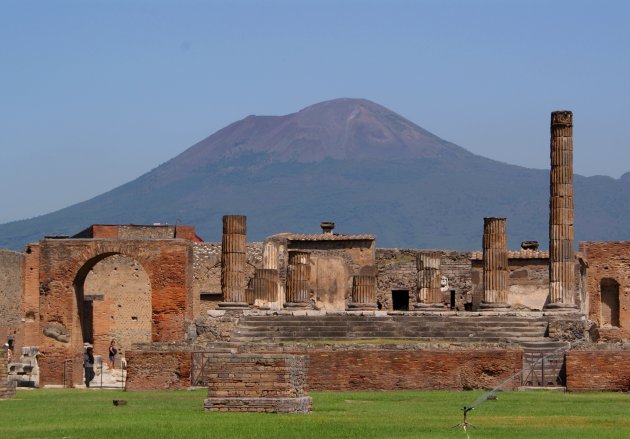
x,y
350,161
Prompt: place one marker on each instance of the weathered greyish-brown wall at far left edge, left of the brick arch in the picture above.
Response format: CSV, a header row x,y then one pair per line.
x,y
11,291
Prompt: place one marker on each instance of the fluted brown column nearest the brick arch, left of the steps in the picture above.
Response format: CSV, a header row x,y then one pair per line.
x,y
233,260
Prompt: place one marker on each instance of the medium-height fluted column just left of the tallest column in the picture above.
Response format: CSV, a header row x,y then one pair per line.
x,y
495,264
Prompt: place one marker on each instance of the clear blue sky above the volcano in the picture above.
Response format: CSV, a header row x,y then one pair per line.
x,y
94,94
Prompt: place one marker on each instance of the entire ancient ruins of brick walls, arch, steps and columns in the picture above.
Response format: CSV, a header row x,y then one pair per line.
x,y
173,302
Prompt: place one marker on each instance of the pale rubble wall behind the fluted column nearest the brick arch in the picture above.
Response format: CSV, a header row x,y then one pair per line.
x,y
206,285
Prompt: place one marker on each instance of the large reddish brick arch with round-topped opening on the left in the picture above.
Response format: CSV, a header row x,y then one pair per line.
x,y
64,263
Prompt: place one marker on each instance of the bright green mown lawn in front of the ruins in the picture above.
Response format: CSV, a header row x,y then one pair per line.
x,y
410,414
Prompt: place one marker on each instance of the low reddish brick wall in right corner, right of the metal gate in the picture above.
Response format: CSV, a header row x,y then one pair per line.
x,y
598,371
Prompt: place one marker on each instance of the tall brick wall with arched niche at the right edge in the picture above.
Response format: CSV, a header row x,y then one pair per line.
x,y
608,269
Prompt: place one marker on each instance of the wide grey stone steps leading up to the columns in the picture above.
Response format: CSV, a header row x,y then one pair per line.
x,y
430,328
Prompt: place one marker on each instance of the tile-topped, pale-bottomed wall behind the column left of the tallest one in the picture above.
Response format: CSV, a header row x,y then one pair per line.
x,y
528,283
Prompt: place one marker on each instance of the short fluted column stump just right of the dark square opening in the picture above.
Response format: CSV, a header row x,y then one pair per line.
x,y
429,293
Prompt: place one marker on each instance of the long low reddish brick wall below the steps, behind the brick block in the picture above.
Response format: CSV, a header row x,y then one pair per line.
x,y
356,369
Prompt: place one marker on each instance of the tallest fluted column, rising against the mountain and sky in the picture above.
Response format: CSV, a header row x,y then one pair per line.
x,y
561,252
